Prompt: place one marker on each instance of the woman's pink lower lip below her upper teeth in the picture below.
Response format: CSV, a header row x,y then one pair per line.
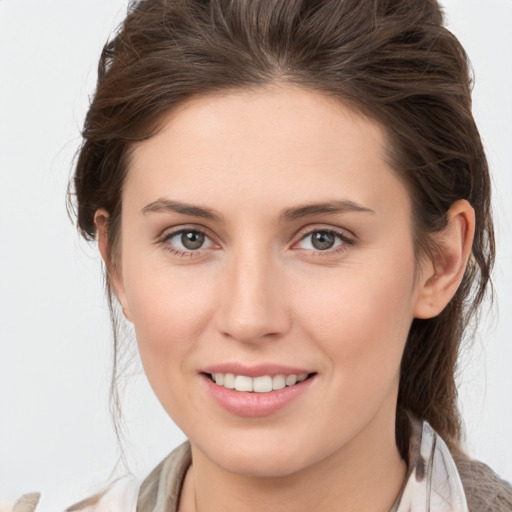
x,y
253,405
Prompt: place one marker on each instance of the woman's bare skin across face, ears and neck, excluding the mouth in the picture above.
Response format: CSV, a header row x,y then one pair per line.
x,y
259,291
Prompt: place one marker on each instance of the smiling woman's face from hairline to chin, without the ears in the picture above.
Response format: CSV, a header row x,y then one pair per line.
x,y
265,236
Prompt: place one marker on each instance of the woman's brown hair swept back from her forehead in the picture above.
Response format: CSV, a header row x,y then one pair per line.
x,y
391,60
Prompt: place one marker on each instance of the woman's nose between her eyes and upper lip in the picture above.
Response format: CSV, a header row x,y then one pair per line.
x,y
253,302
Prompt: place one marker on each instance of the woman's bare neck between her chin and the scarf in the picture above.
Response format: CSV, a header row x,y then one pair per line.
x,y
365,475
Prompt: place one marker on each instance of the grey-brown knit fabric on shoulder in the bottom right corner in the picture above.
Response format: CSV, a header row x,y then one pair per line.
x,y
485,490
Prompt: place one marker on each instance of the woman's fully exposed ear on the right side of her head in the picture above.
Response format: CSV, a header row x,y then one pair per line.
x,y
442,274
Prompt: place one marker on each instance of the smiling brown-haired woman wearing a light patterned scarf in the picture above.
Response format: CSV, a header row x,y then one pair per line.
x,y
293,206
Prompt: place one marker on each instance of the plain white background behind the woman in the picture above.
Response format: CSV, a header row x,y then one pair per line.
x,y
55,431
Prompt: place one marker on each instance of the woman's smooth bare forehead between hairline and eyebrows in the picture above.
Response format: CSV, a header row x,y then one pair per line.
x,y
272,144
